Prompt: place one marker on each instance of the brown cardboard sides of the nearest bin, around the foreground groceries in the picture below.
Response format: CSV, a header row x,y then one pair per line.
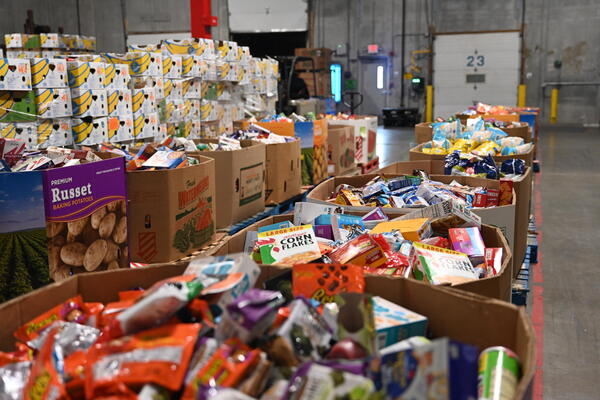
x,y
462,316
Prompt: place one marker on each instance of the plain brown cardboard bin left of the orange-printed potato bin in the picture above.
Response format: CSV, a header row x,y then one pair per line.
x,y
283,172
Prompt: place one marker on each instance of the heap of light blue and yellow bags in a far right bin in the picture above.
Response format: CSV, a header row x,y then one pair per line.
x,y
475,138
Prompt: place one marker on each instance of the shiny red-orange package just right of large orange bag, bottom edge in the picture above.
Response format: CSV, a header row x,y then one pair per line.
x,y
227,367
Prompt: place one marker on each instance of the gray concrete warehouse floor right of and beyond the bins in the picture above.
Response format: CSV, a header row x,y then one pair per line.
x,y
565,297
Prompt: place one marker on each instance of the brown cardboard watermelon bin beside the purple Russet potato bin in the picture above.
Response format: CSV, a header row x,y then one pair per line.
x,y
172,211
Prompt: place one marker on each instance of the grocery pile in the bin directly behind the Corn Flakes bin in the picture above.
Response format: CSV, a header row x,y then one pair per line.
x,y
409,191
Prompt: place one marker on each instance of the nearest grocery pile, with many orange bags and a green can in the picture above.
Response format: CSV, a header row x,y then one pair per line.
x,y
210,334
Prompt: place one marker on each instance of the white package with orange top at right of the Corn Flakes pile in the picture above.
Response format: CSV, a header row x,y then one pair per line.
x,y
442,266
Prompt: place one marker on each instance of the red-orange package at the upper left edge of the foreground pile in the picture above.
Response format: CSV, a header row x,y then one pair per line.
x,y
72,310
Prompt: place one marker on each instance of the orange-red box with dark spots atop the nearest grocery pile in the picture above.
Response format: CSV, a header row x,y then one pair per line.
x,y
322,282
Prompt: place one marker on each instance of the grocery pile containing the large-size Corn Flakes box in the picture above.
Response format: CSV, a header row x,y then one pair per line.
x,y
444,250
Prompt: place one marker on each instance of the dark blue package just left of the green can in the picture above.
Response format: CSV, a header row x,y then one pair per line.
x,y
463,364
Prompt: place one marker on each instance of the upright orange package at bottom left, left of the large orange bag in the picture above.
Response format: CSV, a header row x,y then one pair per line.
x,y
45,381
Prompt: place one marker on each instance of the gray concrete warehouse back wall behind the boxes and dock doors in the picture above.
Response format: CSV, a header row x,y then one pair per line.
x,y
555,30
